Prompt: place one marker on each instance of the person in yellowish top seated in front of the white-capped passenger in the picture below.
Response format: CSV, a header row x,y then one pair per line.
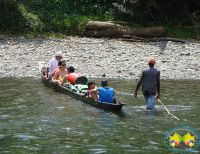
x,y
60,73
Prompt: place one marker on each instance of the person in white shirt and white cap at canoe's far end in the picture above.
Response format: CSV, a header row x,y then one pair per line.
x,y
53,63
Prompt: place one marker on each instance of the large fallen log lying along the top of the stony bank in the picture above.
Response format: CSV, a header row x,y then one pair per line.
x,y
108,29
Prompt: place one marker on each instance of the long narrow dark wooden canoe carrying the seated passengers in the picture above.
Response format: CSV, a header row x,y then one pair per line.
x,y
101,105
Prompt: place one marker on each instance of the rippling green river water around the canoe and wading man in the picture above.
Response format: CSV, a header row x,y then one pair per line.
x,y
36,119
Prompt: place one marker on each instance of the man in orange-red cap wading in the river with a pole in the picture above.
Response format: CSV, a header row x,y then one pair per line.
x,y
150,81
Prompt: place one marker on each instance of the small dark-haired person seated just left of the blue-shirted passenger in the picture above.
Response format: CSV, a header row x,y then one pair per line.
x,y
91,91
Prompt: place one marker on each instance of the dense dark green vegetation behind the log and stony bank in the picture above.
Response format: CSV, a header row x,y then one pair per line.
x,y
181,18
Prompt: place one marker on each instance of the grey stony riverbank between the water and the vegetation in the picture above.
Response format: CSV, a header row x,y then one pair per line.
x,y
95,57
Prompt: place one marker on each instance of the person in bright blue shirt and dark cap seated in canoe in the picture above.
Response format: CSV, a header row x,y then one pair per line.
x,y
106,94
